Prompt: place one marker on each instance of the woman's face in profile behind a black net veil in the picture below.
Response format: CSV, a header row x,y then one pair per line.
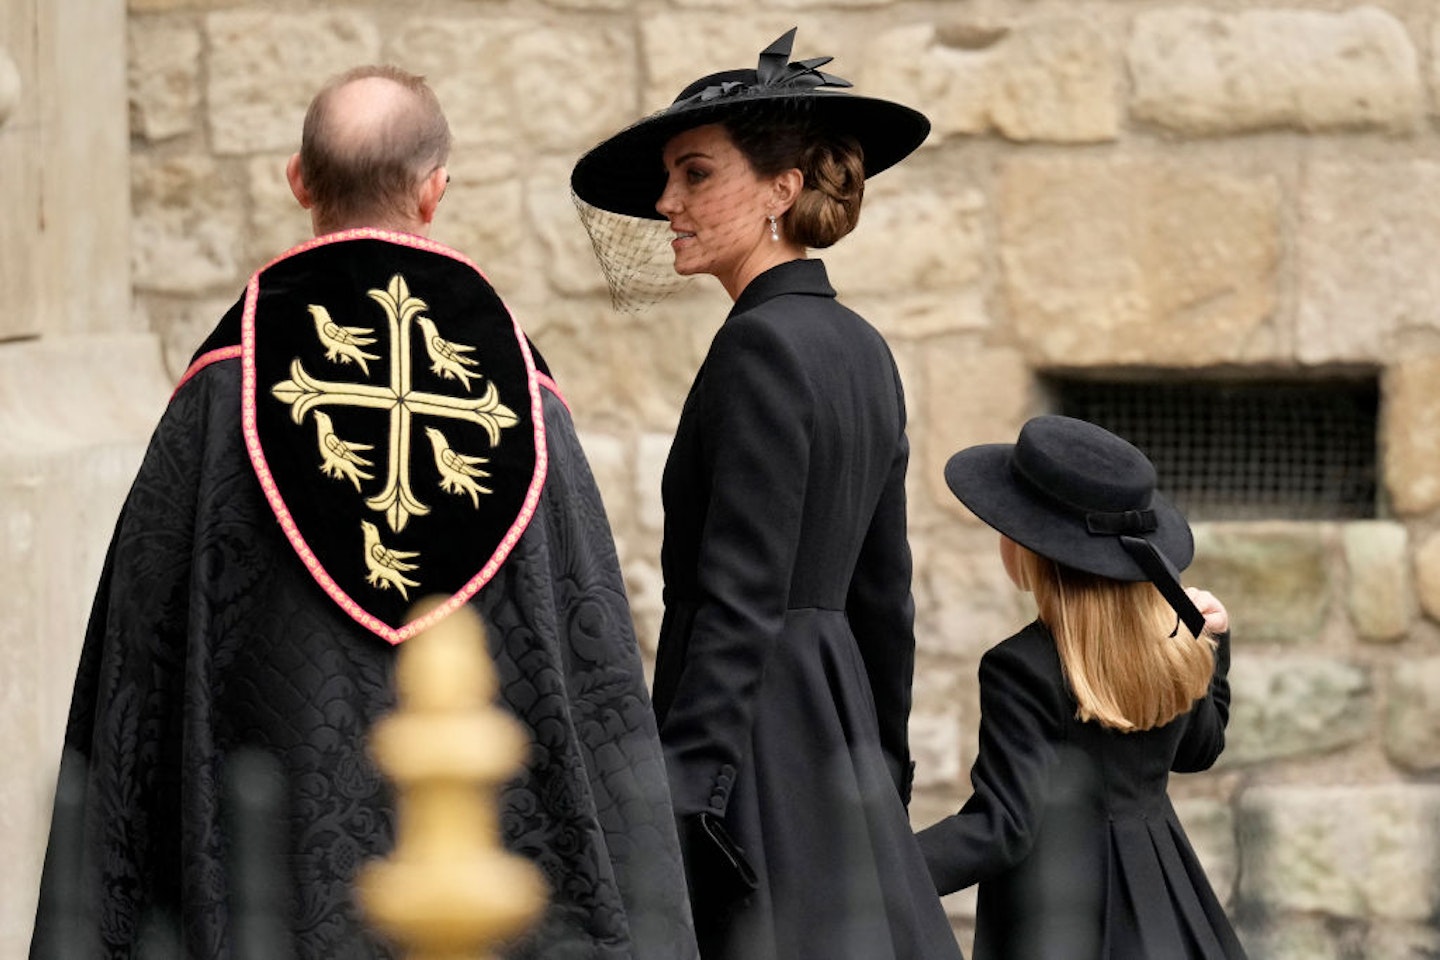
x,y
719,209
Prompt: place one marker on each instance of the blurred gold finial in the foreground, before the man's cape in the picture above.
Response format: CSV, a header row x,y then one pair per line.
x,y
450,892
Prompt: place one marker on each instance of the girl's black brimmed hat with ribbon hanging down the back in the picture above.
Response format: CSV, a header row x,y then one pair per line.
x,y
1084,497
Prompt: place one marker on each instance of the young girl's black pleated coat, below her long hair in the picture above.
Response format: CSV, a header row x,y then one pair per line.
x,y
1071,833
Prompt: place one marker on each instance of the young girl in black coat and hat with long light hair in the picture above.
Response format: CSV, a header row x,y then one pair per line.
x,y
1084,715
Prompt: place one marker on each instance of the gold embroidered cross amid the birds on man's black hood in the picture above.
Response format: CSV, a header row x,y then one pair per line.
x,y
305,394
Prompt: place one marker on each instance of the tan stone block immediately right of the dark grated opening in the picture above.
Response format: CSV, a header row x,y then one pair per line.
x,y
1410,434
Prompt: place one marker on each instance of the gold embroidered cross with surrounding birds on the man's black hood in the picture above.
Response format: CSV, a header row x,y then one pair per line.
x,y
306,394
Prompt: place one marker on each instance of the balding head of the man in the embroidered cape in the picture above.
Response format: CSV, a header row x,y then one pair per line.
x,y
374,139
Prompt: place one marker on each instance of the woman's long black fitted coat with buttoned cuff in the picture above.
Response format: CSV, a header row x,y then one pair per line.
x,y
783,681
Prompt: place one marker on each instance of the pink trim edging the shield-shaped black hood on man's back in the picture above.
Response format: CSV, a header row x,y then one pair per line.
x,y
263,473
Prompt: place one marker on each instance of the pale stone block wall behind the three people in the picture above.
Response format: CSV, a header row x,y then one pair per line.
x,y
1111,184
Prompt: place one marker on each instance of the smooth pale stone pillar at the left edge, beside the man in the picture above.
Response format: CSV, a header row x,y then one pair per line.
x,y
81,385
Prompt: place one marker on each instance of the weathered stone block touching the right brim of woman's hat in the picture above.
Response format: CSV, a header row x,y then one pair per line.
x,y
1052,80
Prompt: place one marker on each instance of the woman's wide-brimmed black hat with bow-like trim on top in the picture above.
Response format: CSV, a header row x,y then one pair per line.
x,y
626,173
